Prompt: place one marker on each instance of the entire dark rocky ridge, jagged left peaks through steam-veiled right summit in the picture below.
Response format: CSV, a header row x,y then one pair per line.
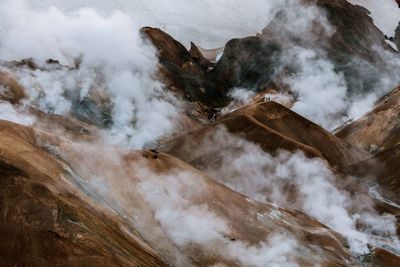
x,y
255,62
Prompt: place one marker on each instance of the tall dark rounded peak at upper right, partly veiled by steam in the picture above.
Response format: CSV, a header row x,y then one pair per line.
x,y
354,50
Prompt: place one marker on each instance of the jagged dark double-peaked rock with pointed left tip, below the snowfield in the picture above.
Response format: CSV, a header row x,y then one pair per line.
x,y
247,62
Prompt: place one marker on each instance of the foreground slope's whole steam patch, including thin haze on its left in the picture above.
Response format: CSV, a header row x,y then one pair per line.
x,y
170,207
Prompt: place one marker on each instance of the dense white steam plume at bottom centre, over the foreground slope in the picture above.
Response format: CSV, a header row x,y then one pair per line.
x,y
172,197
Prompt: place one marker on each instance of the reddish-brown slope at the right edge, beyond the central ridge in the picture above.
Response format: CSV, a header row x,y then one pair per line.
x,y
378,132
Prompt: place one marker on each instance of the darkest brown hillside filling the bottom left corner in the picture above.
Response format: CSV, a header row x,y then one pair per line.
x,y
41,228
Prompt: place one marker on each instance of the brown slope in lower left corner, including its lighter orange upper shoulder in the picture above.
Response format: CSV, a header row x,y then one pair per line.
x,y
45,224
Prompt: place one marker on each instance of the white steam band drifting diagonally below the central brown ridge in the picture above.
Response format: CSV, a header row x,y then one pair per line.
x,y
295,181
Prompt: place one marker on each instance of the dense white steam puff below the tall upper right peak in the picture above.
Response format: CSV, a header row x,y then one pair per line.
x,y
321,92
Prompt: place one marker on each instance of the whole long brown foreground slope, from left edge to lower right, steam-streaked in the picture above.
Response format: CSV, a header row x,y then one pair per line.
x,y
54,214
